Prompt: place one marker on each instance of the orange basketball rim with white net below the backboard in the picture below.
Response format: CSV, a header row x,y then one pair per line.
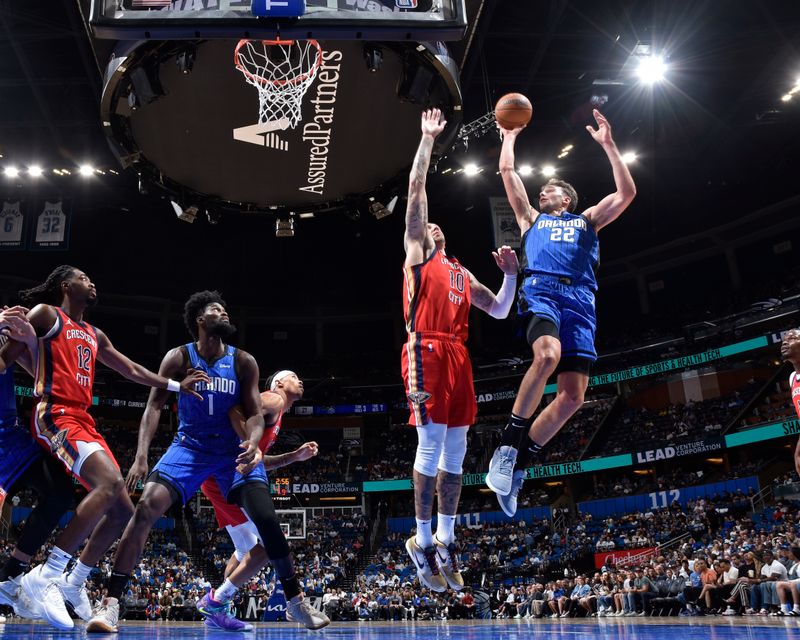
x,y
281,71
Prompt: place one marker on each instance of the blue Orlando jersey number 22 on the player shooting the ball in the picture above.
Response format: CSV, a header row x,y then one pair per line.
x,y
564,246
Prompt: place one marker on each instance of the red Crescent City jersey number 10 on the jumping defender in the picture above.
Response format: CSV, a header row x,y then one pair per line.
x,y
437,297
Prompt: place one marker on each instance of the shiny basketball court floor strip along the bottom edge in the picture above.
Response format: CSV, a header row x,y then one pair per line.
x,y
713,628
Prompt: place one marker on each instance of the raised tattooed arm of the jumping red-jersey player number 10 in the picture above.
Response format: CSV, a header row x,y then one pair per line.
x,y
417,239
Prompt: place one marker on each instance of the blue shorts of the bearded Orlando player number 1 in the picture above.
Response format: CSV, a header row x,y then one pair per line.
x,y
185,468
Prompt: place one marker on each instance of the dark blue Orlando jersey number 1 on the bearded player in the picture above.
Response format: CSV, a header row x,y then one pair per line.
x,y
206,424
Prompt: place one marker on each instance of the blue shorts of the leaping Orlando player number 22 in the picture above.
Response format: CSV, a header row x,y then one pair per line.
x,y
569,307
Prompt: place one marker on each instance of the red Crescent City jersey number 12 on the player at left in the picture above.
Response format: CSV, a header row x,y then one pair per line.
x,y
65,368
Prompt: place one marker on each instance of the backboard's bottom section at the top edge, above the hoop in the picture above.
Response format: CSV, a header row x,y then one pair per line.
x,y
409,20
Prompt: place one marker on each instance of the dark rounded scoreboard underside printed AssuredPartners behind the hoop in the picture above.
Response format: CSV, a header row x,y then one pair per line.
x,y
197,129
